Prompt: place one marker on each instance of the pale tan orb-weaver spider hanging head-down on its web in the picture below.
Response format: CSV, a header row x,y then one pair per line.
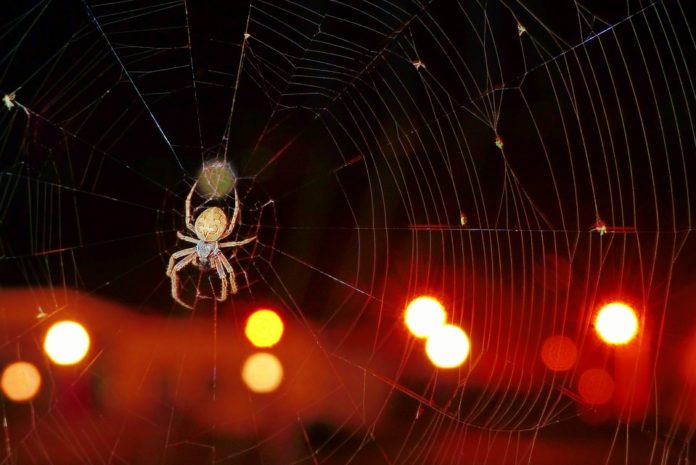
x,y
210,228
